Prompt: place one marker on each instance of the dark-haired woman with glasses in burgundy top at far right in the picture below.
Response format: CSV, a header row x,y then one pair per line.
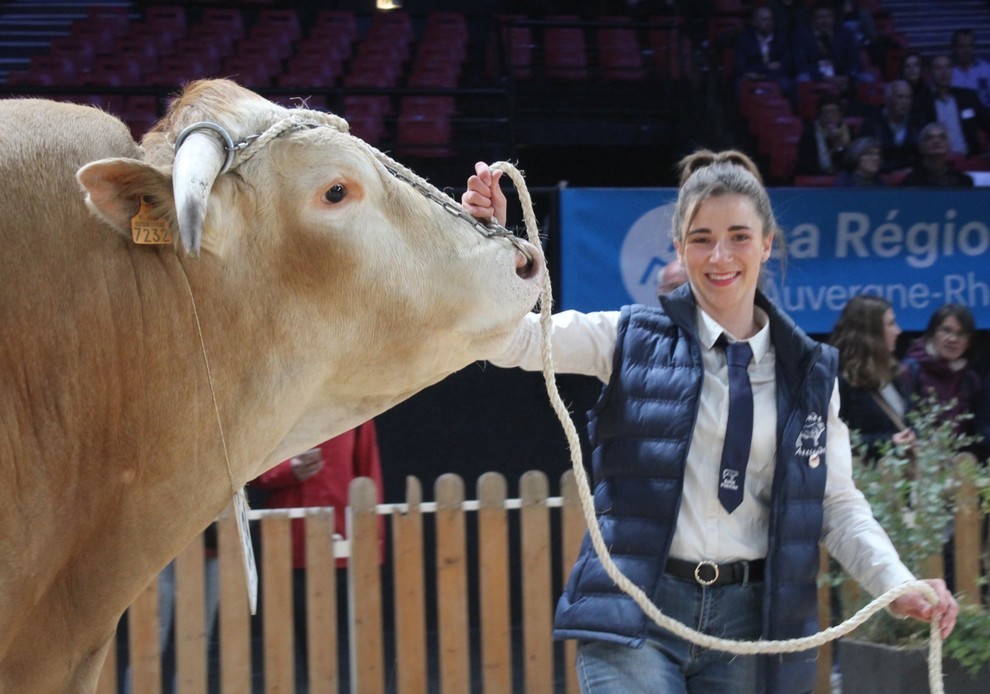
x,y
937,364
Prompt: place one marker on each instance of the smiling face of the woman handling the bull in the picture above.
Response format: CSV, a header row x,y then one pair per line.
x,y
723,250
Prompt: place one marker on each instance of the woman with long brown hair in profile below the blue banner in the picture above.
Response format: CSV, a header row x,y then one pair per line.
x,y
873,397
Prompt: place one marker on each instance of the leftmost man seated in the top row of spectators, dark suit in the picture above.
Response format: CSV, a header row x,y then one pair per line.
x,y
763,52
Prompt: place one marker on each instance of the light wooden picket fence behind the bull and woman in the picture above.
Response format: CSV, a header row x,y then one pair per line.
x,y
493,589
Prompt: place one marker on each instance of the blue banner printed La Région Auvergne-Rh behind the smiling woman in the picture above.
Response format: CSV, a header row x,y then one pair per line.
x,y
919,249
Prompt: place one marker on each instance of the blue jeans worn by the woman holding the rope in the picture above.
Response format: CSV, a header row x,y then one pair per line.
x,y
668,664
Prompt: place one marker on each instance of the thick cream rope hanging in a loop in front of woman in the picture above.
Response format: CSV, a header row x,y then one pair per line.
x,y
634,591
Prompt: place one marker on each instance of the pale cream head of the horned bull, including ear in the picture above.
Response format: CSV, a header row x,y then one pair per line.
x,y
399,289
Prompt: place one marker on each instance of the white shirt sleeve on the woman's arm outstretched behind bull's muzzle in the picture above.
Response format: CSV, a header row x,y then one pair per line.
x,y
581,343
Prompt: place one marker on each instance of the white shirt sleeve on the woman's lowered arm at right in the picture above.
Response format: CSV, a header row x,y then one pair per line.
x,y
851,534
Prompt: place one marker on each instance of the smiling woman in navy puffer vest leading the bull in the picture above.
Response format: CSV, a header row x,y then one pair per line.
x,y
658,432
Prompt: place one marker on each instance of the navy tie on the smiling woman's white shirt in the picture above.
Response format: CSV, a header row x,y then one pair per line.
x,y
739,429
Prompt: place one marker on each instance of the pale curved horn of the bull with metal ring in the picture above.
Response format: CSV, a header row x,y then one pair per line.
x,y
199,158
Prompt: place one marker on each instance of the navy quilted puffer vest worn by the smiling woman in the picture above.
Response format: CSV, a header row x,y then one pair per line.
x,y
640,430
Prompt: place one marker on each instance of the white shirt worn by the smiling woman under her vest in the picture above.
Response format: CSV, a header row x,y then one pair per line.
x,y
585,343
